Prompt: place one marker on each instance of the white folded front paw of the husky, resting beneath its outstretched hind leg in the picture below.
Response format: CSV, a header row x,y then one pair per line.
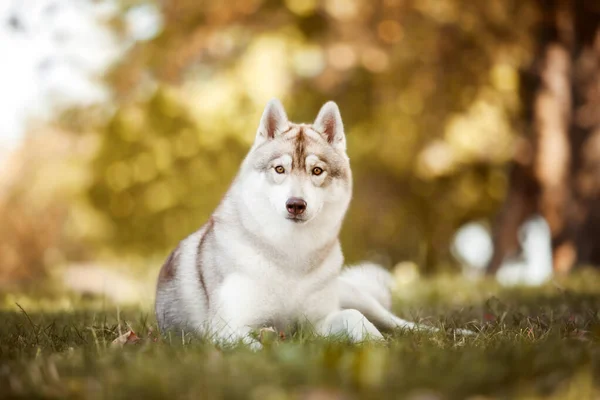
x,y
348,323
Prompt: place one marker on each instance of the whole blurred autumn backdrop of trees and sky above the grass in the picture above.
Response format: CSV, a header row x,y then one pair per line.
x,y
123,122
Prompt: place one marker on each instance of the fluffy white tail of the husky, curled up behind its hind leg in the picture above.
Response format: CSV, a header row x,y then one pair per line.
x,y
372,279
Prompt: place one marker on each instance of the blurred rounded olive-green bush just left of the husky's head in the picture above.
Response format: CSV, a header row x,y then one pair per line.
x,y
157,176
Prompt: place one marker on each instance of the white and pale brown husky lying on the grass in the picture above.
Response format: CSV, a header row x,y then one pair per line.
x,y
269,256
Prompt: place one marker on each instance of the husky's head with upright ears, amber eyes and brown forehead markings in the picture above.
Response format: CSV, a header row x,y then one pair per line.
x,y
298,174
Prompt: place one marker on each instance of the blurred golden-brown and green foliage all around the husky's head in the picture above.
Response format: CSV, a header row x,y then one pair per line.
x,y
428,91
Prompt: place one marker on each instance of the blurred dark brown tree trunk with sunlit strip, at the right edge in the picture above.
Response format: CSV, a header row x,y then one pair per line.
x,y
556,171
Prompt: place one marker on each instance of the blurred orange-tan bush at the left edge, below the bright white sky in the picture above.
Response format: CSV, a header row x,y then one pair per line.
x,y
45,216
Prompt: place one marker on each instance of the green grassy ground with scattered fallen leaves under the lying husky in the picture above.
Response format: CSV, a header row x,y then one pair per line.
x,y
532,343
